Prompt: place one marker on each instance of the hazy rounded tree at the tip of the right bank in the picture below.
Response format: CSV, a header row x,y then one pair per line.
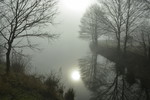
x,y
91,24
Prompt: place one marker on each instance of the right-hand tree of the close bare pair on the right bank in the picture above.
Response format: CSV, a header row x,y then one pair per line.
x,y
133,13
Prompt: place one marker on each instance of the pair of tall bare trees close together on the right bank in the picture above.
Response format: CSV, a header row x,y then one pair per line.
x,y
123,18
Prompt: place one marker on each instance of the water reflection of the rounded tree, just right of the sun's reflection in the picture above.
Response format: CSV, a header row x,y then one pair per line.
x,y
89,70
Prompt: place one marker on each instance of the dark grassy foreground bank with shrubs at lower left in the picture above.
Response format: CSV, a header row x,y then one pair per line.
x,y
20,86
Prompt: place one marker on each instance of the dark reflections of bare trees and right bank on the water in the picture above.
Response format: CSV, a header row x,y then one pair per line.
x,y
110,82
